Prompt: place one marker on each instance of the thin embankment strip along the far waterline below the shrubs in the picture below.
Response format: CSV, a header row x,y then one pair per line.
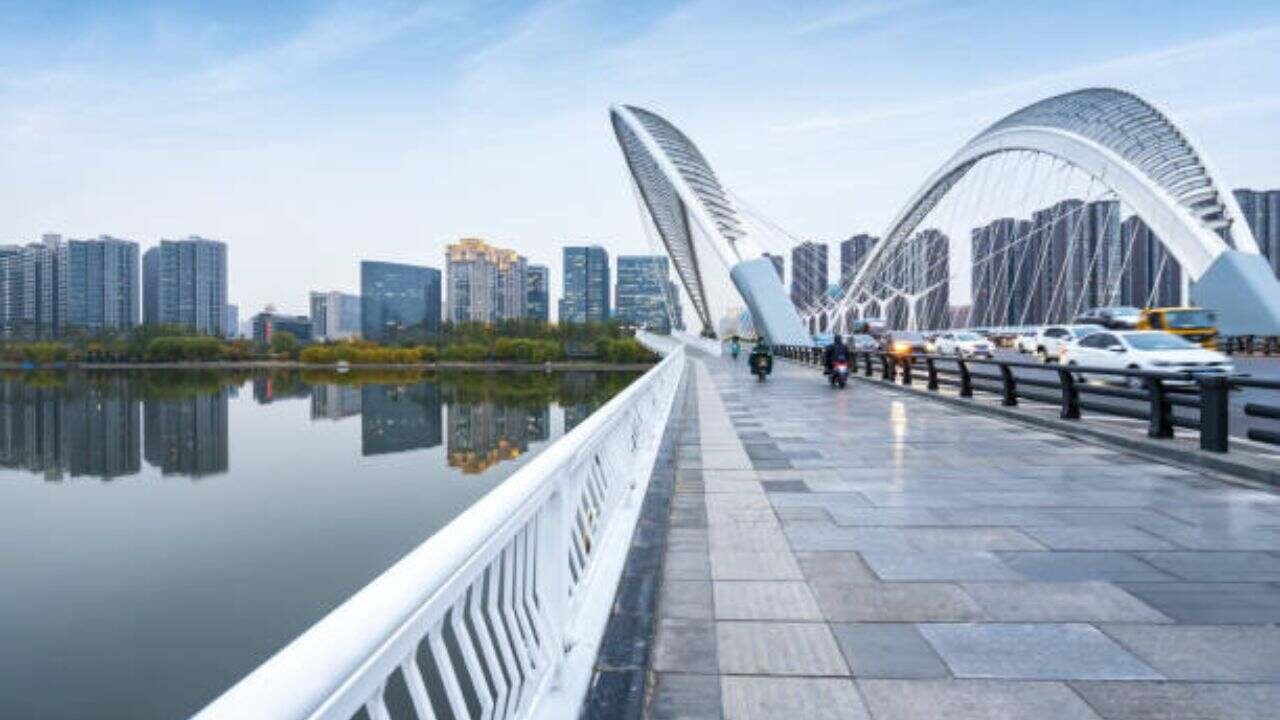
x,y
488,367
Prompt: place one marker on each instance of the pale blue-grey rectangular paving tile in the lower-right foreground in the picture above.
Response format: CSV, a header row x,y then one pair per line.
x,y
1035,653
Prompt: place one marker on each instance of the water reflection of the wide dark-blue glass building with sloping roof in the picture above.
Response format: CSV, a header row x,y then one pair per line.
x,y
399,418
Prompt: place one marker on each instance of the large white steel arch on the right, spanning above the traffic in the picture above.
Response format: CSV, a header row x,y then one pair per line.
x,y
1136,151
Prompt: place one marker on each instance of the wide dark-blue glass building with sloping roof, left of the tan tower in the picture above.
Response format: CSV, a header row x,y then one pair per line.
x,y
399,300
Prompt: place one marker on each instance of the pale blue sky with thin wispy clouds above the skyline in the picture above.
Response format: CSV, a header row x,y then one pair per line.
x,y
313,135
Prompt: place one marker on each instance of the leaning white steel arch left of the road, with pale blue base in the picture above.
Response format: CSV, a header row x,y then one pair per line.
x,y
682,192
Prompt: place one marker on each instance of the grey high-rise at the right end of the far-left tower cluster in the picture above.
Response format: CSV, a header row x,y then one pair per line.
x,y
185,284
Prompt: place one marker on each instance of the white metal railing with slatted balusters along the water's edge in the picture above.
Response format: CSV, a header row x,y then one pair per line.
x,y
500,614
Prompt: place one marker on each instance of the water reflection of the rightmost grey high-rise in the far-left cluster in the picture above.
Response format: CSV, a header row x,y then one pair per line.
x,y
188,436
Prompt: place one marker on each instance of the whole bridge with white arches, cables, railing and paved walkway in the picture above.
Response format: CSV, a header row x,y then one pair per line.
x,y
707,546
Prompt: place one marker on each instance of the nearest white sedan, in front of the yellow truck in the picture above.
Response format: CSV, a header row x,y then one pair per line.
x,y
1144,350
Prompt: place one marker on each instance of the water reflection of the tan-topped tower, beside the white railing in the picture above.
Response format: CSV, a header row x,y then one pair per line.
x,y
484,435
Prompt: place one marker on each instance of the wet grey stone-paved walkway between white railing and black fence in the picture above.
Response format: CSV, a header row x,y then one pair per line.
x,y
865,554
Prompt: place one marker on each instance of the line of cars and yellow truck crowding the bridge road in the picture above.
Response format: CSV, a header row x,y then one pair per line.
x,y
1173,340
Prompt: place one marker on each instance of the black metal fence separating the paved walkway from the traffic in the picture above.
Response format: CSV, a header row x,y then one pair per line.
x,y
1208,398
